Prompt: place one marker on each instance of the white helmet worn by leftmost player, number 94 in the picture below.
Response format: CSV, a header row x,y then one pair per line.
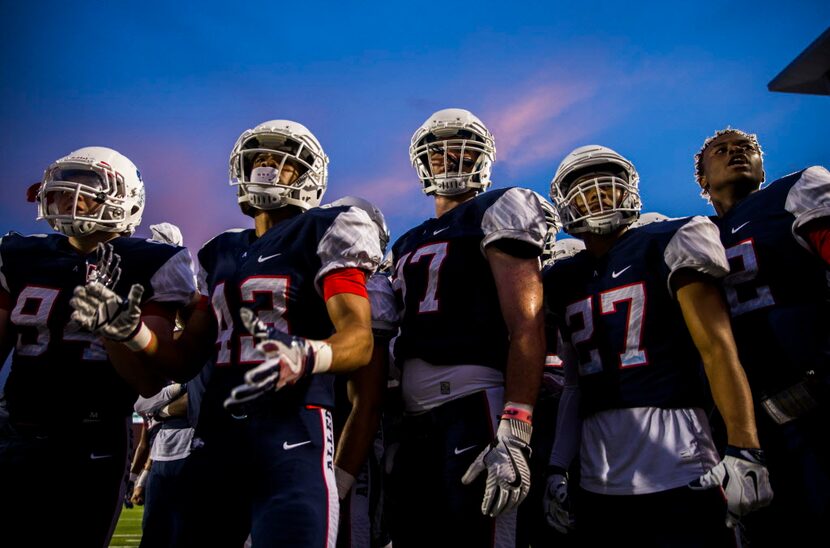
x,y
100,174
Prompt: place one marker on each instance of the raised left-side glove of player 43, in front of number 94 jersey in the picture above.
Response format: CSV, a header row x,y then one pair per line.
x,y
103,312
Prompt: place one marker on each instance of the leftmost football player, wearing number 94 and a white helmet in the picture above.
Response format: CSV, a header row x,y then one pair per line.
x,y
69,408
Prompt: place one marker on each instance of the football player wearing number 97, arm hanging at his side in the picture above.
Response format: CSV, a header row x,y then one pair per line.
x,y
471,343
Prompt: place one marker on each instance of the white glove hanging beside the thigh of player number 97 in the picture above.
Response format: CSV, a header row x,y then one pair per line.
x,y
506,462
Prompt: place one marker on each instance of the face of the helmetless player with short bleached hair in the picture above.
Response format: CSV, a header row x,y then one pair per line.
x,y
729,159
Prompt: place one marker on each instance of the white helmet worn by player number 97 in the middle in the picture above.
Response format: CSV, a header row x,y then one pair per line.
x,y
453,152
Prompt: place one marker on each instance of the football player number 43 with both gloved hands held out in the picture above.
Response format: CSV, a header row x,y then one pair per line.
x,y
284,305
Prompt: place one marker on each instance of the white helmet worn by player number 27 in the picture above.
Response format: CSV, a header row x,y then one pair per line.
x,y
581,206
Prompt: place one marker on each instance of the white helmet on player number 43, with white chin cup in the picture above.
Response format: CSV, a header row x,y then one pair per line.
x,y
292,168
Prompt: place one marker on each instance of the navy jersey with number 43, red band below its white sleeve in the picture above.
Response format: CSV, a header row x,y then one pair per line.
x,y
279,276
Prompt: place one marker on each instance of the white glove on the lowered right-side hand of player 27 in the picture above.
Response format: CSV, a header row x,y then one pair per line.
x,y
744,480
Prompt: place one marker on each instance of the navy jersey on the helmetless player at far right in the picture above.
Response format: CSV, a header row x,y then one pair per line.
x,y
777,288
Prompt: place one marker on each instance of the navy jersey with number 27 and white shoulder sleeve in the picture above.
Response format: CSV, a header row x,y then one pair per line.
x,y
620,315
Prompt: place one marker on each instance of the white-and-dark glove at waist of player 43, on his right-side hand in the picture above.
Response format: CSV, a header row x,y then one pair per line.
x,y
287,360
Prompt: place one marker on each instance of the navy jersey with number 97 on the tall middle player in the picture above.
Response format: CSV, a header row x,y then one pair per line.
x,y
451,312
